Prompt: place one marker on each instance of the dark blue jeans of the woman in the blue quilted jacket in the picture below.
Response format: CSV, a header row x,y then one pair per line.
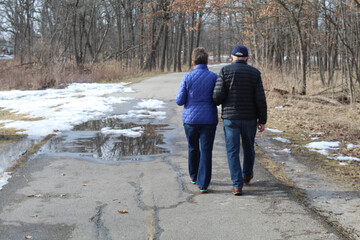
x,y
200,155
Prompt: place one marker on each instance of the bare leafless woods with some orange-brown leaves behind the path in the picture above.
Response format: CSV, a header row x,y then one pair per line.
x,y
296,38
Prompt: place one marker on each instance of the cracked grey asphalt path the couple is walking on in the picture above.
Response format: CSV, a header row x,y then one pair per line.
x,y
52,197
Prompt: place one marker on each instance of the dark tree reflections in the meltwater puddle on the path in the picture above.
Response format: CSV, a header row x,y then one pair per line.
x,y
111,147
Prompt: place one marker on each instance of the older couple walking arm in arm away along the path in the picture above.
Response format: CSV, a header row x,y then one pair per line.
x,y
239,90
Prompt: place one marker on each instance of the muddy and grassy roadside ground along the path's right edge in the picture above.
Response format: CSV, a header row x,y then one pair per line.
x,y
327,185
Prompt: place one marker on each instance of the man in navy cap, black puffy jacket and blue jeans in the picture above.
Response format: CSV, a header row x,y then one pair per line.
x,y
240,91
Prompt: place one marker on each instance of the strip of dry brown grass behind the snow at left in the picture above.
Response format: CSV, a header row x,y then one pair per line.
x,y
13,75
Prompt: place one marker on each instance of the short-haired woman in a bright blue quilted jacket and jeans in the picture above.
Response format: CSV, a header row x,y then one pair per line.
x,y
199,118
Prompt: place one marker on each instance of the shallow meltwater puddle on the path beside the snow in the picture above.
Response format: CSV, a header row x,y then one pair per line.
x,y
87,140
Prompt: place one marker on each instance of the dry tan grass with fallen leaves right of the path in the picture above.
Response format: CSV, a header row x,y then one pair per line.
x,y
299,117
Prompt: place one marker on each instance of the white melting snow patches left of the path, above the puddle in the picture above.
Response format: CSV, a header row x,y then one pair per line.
x,y
61,109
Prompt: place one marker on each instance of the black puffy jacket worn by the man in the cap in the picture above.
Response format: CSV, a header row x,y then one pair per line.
x,y
240,90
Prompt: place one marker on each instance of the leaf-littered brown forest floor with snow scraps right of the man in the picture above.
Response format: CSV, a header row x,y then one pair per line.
x,y
302,121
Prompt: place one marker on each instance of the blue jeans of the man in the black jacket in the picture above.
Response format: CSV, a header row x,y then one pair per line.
x,y
234,129
